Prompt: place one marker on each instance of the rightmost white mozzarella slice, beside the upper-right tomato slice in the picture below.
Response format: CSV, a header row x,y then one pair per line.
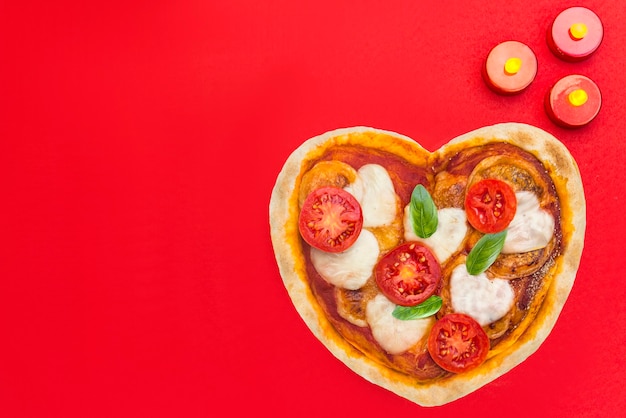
x,y
531,228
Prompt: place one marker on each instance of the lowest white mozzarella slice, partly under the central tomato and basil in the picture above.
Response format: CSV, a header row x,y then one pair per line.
x,y
394,335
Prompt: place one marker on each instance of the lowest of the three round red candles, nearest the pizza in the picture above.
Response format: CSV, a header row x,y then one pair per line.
x,y
573,101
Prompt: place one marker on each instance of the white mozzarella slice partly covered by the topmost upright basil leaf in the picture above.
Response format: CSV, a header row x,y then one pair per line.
x,y
447,238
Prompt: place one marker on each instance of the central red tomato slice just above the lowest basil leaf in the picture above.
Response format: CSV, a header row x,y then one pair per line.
x,y
409,274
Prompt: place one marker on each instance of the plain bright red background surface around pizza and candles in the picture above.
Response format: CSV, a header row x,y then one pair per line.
x,y
140,141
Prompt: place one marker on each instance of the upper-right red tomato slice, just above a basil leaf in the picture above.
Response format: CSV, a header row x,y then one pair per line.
x,y
490,205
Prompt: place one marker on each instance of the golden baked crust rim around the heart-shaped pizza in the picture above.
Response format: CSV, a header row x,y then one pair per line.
x,y
283,211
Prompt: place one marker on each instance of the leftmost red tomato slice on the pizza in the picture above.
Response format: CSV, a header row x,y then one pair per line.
x,y
330,219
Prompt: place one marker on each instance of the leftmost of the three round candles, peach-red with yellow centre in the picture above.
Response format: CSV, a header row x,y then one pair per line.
x,y
510,67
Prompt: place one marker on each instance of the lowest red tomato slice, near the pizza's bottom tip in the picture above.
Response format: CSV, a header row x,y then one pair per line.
x,y
457,343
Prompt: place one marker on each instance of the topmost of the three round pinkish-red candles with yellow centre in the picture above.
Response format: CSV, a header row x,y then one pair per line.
x,y
575,34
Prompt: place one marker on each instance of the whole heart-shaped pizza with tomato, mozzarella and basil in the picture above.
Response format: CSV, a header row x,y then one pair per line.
x,y
429,273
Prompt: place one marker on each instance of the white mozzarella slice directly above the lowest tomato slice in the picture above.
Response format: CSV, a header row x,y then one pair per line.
x,y
486,300
